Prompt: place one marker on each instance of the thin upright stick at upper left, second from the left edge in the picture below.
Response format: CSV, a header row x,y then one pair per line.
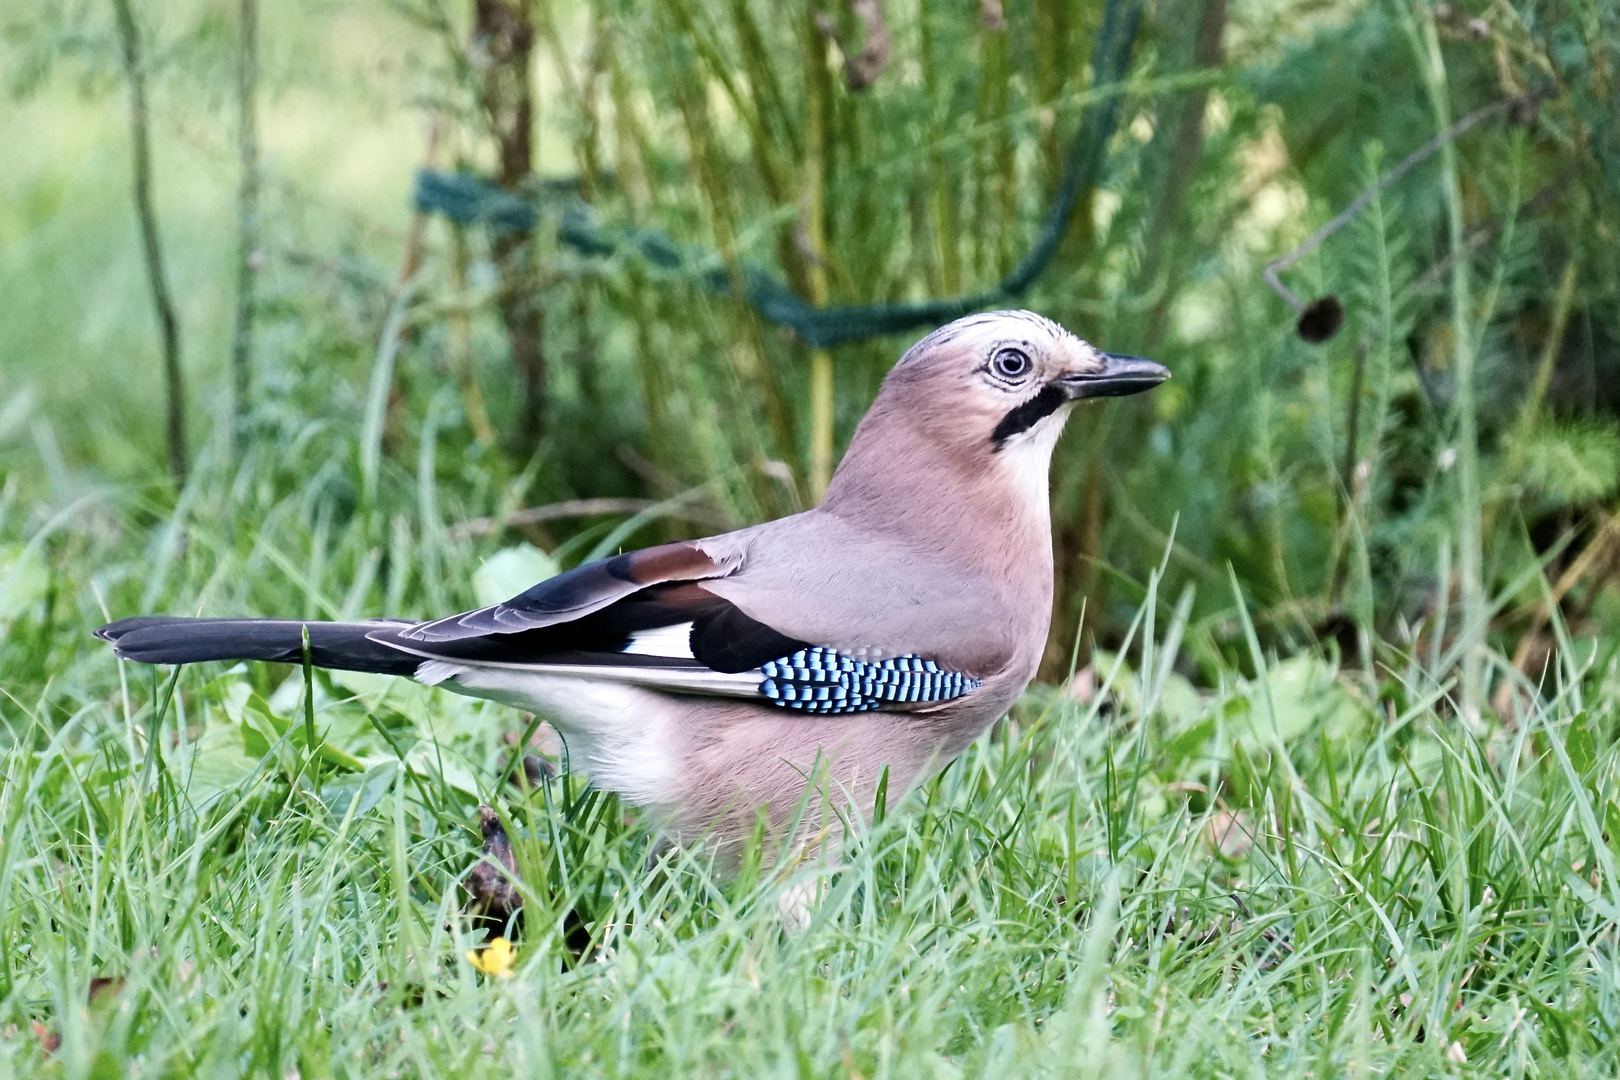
x,y
247,219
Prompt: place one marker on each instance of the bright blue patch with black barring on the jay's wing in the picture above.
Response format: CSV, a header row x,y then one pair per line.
x,y
827,682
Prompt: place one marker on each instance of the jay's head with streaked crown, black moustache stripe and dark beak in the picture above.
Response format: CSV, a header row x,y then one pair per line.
x,y
1004,385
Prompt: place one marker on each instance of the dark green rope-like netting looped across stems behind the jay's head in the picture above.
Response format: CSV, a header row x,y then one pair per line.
x,y
477,202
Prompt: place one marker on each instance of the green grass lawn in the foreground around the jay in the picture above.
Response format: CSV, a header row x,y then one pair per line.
x,y
1417,890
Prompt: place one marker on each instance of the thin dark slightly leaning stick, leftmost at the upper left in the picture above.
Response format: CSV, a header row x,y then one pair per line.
x,y
163,305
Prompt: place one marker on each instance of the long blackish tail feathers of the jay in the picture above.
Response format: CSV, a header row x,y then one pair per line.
x,y
339,645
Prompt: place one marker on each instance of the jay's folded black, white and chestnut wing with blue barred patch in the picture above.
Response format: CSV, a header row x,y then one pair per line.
x,y
647,618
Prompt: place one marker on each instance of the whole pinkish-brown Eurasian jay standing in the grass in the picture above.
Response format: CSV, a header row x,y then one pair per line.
x,y
707,679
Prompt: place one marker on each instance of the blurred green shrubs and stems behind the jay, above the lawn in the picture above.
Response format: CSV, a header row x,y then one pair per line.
x,y
856,159
